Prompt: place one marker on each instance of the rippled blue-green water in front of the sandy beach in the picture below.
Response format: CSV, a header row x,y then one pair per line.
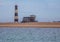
x,y
29,34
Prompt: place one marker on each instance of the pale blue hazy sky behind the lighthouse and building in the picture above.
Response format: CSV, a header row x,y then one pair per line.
x,y
45,10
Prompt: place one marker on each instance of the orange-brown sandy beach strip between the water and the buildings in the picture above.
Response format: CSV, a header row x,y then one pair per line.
x,y
32,25
